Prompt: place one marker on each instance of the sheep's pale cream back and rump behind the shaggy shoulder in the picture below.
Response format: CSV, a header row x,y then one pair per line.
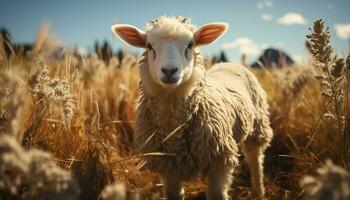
x,y
242,86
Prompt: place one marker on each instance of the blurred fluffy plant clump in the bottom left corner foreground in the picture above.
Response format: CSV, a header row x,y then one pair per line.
x,y
33,174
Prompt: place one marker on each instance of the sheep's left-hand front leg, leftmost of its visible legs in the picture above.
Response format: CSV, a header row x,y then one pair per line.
x,y
173,188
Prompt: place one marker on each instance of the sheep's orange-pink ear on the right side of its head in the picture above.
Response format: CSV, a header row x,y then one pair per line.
x,y
209,33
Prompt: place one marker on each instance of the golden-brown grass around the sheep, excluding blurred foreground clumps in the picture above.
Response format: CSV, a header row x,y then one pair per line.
x,y
81,111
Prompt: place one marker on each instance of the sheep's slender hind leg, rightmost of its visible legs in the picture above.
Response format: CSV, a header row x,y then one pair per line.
x,y
254,155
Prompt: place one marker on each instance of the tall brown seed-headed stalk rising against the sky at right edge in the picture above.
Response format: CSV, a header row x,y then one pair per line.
x,y
330,74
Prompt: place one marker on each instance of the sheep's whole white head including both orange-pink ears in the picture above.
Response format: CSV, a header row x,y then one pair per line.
x,y
170,43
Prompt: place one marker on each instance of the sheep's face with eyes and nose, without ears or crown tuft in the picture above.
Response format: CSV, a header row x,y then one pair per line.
x,y
170,59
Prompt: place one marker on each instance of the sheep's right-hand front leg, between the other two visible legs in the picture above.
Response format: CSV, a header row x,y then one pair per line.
x,y
219,182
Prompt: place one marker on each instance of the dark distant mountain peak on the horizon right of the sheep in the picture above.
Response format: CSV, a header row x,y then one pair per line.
x,y
273,57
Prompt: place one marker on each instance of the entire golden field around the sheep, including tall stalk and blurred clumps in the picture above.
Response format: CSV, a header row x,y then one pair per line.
x,y
66,127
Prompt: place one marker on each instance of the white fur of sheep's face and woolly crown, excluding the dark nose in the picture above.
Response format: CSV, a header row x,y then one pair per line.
x,y
169,41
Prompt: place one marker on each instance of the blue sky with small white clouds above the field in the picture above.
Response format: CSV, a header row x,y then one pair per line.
x,y
254,24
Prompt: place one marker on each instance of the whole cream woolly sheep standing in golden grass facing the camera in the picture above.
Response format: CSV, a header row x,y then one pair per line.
x,y
196,118
